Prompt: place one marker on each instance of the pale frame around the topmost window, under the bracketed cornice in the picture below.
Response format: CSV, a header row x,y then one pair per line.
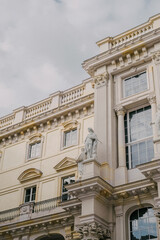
x,y
129,77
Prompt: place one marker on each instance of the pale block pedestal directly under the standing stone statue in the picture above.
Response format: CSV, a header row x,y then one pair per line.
x,y
91,168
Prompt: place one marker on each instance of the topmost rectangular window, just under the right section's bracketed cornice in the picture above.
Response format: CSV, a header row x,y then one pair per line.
x,y
135,84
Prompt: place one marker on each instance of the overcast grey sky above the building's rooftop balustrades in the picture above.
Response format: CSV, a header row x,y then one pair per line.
x,y
44,42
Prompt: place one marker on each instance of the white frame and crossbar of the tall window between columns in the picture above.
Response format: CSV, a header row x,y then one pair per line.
x,y
129,144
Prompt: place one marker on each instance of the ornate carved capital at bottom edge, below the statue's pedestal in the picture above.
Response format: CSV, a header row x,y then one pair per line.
x,y
92,231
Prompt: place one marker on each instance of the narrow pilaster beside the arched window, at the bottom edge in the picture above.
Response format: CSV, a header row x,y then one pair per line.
x,y
120,234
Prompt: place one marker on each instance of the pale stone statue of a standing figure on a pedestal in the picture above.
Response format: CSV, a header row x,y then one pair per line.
x,y
91,144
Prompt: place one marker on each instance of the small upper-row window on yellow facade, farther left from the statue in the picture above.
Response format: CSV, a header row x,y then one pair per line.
x,y
34,150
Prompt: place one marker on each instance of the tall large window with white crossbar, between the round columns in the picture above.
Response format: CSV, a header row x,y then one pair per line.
x,y
138,137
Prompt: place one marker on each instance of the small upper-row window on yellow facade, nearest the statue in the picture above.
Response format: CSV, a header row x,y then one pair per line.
x,y
70,138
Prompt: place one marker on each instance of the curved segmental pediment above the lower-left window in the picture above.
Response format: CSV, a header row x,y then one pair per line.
x,y
30,174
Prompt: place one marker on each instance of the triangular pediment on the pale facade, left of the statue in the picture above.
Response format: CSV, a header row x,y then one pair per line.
x,y
65,164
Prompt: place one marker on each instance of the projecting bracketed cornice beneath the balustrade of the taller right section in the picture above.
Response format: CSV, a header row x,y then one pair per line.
x,y
118,53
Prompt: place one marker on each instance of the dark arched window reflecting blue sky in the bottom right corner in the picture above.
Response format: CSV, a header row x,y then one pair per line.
x,y
143,224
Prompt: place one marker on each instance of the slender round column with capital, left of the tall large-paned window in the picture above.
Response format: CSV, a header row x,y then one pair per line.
x,y
121,171
